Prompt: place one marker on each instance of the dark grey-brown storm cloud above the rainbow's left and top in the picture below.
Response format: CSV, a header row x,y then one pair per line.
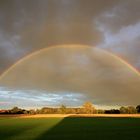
x,y
26,26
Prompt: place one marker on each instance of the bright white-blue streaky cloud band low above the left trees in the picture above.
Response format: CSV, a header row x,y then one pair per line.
x,y
36,98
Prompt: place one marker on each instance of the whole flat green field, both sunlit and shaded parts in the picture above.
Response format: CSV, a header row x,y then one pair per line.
x,y
70,128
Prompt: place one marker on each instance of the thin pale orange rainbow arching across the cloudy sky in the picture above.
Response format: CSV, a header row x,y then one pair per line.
x,y
44,49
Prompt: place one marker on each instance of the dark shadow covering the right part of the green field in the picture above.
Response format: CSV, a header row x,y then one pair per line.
x,y
94,128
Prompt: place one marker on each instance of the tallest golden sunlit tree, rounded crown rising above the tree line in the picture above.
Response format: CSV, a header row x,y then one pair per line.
x,y
88,108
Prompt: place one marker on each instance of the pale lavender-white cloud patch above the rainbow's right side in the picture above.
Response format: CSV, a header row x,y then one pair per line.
x,y
124,43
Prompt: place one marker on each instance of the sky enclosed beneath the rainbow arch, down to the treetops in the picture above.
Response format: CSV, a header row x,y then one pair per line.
x,y
70,75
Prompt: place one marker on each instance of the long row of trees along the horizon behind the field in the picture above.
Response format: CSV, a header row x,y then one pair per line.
x,y
86,108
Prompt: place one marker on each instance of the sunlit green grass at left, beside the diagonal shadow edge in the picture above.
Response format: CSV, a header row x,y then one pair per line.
x,y
25,129
